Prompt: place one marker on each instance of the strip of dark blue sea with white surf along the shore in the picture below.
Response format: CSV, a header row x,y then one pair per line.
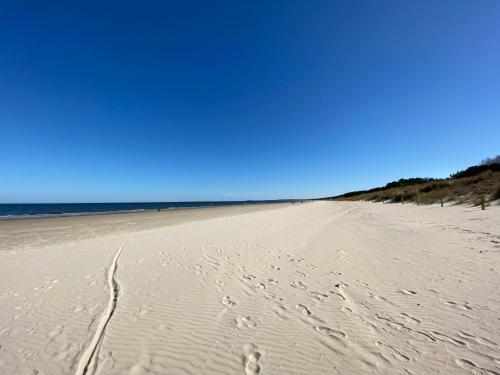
x,y
29,210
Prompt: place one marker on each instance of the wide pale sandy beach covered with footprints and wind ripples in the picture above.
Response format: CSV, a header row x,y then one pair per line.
x,y
313,288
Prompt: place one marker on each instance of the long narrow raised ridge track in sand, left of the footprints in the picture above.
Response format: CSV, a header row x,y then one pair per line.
x,y
87,363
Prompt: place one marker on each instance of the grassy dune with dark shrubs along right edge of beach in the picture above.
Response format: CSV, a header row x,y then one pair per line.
x,y
478,185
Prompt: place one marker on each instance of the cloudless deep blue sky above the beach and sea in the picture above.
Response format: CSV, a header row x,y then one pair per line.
x,y
192,100
